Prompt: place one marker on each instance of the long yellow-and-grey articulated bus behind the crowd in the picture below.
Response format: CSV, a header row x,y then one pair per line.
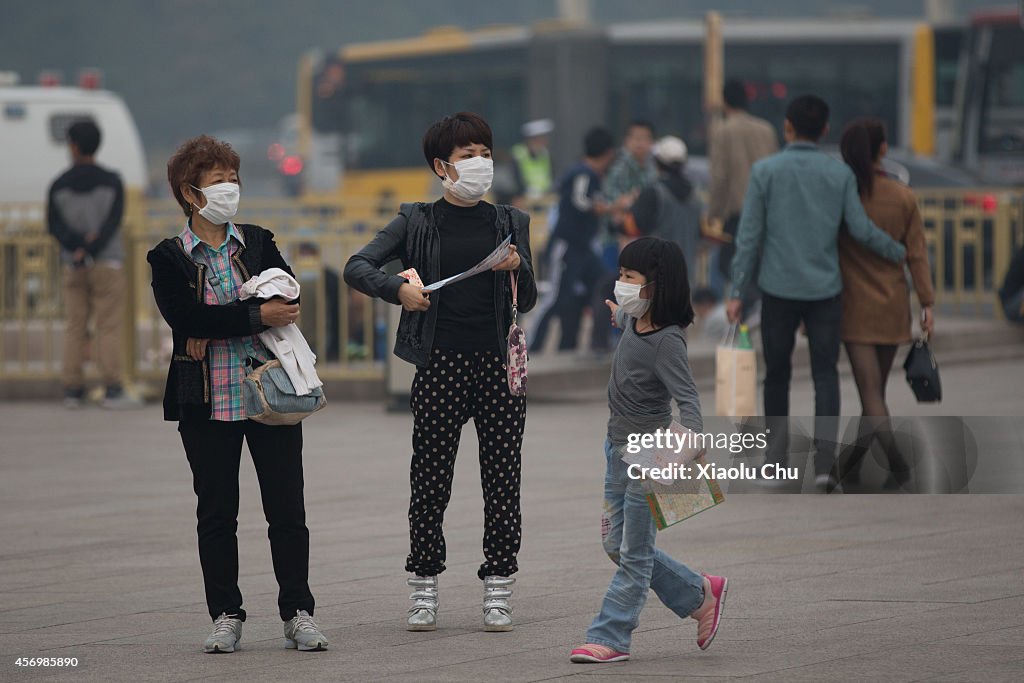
x,y
362,110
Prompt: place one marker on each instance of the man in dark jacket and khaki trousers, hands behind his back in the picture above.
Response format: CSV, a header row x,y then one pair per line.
x,y
84,209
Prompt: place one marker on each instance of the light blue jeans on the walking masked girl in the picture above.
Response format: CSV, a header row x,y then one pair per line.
x,y
628,535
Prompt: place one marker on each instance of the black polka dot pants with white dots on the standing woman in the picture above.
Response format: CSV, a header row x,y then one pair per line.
x,y
453,389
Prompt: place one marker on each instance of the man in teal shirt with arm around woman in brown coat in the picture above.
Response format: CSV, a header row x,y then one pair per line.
x,y
796,202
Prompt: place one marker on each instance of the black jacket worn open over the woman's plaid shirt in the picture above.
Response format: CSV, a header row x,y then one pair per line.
x,y
179,286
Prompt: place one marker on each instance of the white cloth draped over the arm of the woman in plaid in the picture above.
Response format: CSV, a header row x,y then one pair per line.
x,y
287,344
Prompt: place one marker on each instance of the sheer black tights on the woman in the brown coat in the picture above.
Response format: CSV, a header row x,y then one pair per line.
x,y
872,364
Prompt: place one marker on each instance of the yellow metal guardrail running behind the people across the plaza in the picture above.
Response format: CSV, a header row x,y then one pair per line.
x,y
971,235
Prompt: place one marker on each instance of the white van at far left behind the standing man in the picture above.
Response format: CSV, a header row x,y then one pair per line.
x,y
34,123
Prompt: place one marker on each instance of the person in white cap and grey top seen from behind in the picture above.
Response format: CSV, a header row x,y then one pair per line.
x,y
668,208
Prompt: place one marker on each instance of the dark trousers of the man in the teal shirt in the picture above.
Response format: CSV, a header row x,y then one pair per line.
x,y
780,322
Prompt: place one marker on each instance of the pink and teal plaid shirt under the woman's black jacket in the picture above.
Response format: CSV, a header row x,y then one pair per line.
x,y
227,369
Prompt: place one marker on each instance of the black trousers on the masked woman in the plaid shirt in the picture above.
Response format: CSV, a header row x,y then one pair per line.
x,y
215,451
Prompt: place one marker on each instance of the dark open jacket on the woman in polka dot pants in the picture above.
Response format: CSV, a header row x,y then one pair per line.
x,y
412,239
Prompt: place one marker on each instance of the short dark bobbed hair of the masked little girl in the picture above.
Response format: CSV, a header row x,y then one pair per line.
x,y
662,263
